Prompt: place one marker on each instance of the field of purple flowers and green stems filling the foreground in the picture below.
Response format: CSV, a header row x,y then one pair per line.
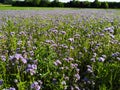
x,y
60,49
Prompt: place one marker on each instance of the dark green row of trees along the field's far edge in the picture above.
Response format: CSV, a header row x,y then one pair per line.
x,y
57,3
